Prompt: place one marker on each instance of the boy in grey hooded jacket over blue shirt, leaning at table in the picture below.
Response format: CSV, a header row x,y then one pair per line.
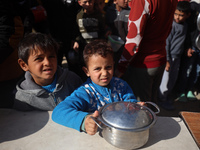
x,y
45,84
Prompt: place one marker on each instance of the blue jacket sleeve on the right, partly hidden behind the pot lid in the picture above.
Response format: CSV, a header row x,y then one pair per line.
x,y
128,93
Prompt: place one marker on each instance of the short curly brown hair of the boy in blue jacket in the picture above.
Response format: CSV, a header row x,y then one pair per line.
x,y
96,47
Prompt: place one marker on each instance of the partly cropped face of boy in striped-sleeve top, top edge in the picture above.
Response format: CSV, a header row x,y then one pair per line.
x,y
88,5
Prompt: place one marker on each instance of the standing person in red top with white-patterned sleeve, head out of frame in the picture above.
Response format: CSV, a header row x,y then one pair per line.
x,y
144,56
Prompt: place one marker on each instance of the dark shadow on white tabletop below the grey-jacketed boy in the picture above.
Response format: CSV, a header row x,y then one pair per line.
x,y
21,124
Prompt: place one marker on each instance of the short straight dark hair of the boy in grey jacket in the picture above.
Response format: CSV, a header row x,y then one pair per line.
x,y
34,42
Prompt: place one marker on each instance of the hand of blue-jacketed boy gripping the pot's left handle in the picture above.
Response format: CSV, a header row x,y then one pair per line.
x,y
90,126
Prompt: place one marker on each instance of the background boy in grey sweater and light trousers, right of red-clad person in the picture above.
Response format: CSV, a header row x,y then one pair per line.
x,y
175,48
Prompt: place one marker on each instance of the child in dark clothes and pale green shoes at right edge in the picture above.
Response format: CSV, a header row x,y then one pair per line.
x,y
190,62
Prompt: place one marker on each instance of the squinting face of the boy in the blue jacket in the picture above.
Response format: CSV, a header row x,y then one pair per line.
x,y
100,69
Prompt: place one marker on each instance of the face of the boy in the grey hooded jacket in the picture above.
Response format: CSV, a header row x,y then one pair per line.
x,y
42,66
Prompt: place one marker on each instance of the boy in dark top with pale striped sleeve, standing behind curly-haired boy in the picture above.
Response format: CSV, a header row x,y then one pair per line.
x,y
91,24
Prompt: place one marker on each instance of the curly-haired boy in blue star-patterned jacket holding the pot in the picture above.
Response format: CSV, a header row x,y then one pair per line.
x,y
101,88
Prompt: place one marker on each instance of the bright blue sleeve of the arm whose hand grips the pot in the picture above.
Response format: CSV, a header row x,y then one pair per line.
x,y
72,110
